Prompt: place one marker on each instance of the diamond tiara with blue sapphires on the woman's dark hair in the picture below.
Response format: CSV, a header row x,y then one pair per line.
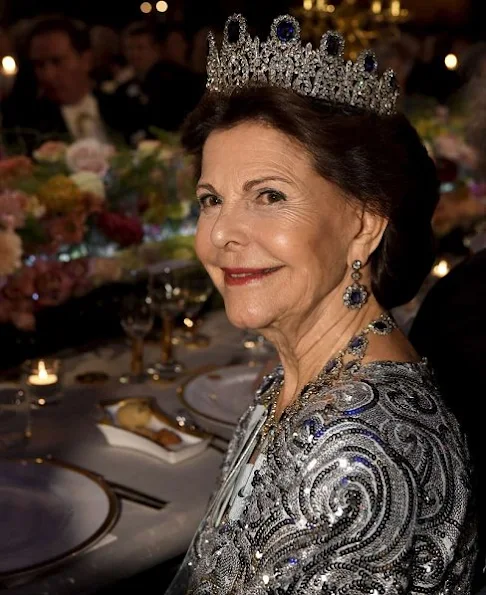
x,y
283,61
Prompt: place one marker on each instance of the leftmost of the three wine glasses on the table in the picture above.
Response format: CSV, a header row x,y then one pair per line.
x,y
137,318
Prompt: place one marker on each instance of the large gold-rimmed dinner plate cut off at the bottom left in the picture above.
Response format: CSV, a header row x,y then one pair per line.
x,y
49,512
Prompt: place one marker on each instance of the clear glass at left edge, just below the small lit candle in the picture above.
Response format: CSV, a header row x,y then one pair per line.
x,y
15,420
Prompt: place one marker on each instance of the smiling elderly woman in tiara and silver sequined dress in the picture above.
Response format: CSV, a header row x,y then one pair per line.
x,y
347,475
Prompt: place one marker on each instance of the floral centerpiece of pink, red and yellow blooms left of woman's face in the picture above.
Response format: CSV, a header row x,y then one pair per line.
x,y
73,216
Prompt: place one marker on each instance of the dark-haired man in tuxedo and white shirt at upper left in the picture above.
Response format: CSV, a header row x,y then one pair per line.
x,y
67,106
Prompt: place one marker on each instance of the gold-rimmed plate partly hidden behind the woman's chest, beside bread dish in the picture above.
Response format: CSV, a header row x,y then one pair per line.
x,y
218,398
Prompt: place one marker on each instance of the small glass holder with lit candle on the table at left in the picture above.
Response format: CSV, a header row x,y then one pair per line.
x,y
43,380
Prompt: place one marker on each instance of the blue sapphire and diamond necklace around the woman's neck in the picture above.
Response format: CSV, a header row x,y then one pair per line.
x,y
338,368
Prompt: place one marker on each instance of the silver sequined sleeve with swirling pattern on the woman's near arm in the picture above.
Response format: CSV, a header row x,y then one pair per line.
x,y
368,501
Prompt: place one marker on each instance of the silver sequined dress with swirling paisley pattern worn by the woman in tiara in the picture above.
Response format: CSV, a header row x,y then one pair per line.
x,y
365,490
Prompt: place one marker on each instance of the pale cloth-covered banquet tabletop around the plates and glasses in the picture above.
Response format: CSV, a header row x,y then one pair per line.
x,y
142,537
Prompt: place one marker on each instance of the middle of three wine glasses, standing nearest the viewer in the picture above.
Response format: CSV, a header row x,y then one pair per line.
x,y
168,300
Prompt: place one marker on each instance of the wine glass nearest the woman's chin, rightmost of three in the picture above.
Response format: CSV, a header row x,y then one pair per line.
x,y
198,289
